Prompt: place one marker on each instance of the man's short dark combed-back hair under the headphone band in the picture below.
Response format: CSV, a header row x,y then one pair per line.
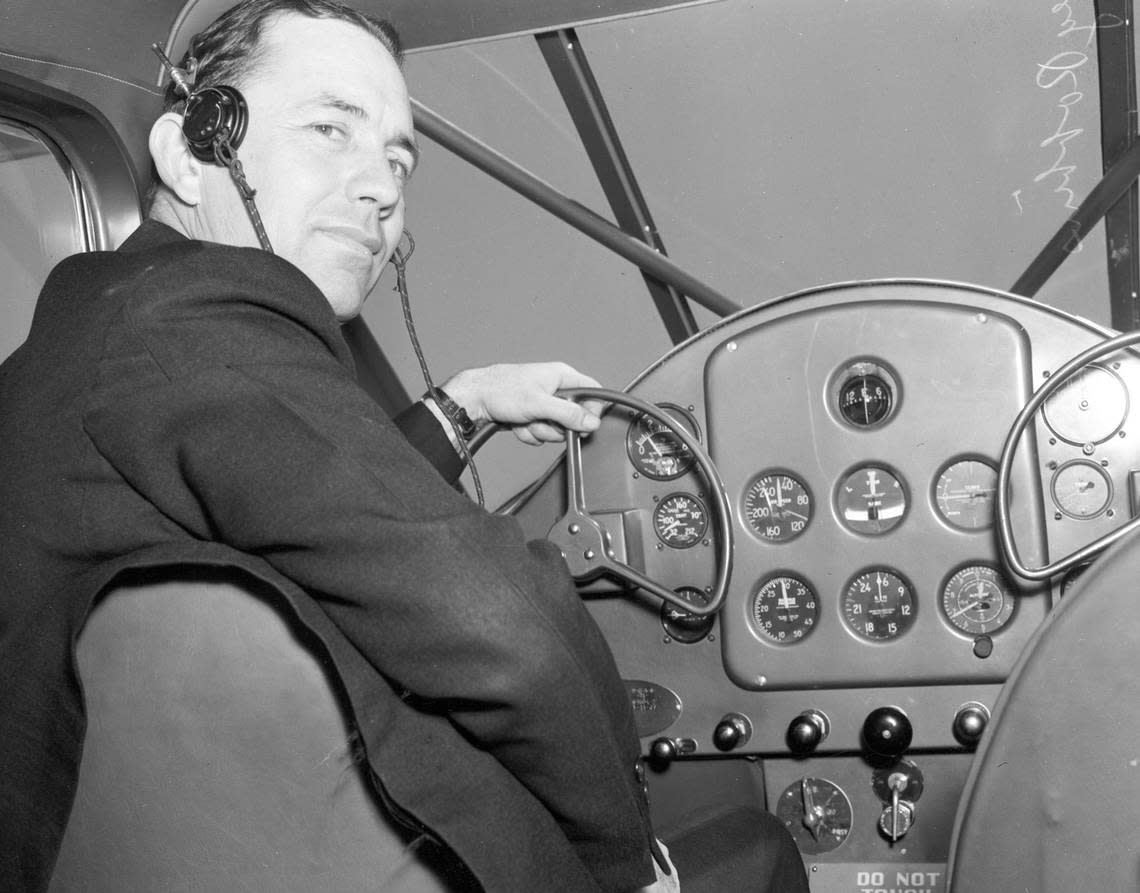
x,y
230,51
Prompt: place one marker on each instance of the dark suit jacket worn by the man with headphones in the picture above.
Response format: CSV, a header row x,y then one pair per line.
x,y
184,403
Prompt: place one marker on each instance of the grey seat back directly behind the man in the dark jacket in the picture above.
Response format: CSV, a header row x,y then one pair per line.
x,y
218,757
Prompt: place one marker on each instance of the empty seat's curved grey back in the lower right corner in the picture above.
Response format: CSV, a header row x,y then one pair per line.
x,y
1052,803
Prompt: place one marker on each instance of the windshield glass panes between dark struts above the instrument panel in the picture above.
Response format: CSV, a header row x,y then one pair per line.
x,y
779,147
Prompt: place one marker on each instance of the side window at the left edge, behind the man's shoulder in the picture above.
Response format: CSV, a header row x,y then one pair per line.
x,y
43,223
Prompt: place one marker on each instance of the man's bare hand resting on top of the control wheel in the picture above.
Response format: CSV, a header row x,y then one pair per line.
x,y
522,396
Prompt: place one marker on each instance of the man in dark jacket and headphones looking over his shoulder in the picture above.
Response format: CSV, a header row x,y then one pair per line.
x,y
190,400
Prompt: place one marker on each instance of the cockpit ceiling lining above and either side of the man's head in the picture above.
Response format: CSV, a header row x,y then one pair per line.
x,y
113,37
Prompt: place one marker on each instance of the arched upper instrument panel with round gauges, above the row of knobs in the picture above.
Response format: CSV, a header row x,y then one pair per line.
x,y
858,431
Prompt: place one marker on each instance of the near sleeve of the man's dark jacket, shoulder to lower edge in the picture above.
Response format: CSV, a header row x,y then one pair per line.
x,y
287,459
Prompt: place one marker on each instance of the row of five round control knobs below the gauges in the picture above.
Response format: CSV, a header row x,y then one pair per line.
x,y
887,733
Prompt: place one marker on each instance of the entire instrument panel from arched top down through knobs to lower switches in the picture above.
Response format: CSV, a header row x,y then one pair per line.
x,y
858,431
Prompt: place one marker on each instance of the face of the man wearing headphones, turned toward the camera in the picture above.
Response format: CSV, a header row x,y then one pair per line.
x,y
329,150
